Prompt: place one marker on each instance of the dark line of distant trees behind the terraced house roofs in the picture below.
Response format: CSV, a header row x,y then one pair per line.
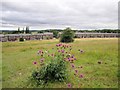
x,y
56,31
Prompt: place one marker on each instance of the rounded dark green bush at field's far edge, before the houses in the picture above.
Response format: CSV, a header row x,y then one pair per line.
x,y
67,36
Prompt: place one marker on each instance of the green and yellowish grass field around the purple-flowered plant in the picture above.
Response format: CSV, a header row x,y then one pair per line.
x,y
18,57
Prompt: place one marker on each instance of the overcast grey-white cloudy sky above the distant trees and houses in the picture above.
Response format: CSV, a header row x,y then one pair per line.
x,y
59,14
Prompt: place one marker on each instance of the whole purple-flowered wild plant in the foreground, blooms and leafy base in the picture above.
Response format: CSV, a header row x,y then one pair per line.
x,y
53,66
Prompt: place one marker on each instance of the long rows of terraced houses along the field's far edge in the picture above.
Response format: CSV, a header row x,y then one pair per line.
x,y
48,35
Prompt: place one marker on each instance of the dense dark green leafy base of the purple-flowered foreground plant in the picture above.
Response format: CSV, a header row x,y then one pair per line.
x,y
54,71
